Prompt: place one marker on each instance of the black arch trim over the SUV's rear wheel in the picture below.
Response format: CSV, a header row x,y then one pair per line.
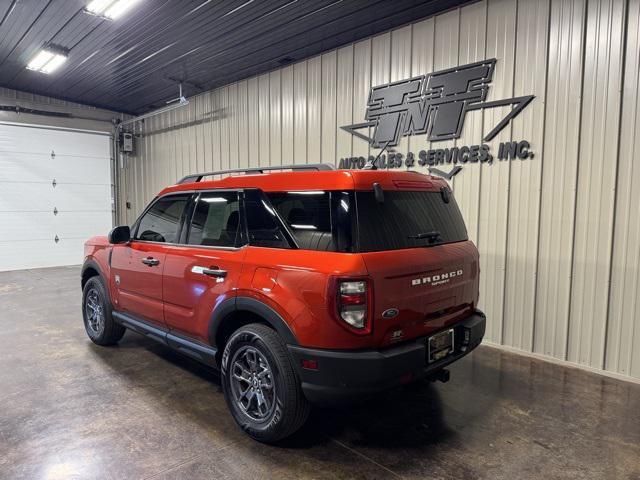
x,y
248,304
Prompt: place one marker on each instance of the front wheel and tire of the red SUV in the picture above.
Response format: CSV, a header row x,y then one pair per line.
x,y
96,313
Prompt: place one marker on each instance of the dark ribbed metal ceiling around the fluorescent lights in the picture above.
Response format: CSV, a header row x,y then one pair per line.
x,y
134,64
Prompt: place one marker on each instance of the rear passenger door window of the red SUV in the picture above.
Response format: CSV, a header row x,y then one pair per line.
x,y
216,220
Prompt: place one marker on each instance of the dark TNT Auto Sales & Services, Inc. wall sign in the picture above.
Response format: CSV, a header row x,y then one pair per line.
x,y
436,105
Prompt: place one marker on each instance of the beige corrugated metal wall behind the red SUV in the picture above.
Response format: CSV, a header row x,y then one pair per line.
x,y
559,234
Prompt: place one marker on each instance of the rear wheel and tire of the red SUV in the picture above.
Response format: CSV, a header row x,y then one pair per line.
x,y
266,414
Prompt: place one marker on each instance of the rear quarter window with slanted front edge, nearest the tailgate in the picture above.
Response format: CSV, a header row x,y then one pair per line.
x,y
308,216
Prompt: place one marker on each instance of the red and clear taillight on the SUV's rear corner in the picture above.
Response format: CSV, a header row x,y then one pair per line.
x,y
353,299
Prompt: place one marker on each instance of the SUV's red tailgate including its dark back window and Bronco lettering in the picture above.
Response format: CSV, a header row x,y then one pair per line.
x,y
424,269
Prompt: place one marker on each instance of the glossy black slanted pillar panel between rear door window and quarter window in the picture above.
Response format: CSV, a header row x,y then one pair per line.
x,y
265,230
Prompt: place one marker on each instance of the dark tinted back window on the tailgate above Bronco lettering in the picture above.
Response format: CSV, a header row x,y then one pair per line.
x,y
407,220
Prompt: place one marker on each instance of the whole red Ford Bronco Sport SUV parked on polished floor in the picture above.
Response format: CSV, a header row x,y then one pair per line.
x,y
312,285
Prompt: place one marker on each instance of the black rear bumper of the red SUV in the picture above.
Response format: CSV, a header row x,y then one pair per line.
x,y
345,375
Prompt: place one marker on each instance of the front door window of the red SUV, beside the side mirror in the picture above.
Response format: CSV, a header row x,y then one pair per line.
x,y
161,222
